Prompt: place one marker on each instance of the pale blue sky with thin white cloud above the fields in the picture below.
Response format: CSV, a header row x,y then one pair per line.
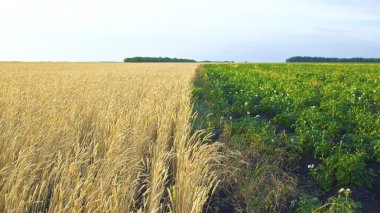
x,y
239,30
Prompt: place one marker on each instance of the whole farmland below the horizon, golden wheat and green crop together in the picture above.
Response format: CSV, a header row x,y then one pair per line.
x,y
185,137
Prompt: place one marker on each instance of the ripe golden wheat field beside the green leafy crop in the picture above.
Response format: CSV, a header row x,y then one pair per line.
x,y
102,137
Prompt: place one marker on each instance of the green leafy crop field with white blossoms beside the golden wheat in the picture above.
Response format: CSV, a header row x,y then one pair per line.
x,y
310,133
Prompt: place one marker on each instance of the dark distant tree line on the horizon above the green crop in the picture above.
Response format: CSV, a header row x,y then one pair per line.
x,y
332,60
